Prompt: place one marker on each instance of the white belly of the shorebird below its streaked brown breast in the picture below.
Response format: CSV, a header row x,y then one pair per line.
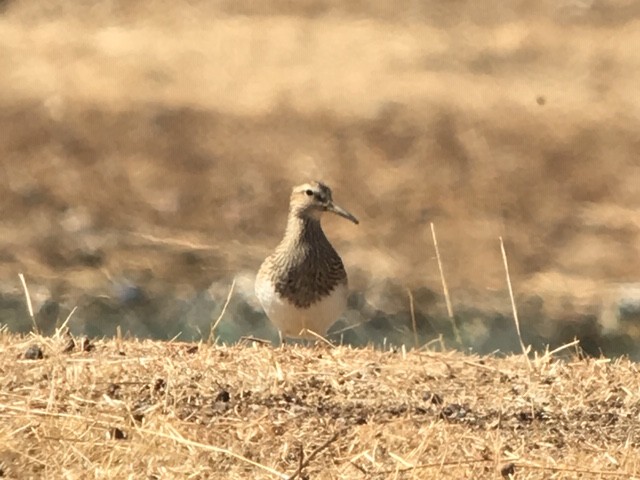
x,y
292,321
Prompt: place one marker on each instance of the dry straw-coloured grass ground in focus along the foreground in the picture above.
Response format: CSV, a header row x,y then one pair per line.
x,y
254,411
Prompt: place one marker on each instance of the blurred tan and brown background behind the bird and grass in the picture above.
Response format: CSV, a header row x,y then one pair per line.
x,y
148,149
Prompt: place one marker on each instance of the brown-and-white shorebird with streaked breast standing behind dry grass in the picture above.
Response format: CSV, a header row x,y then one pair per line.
x,y
302,285
